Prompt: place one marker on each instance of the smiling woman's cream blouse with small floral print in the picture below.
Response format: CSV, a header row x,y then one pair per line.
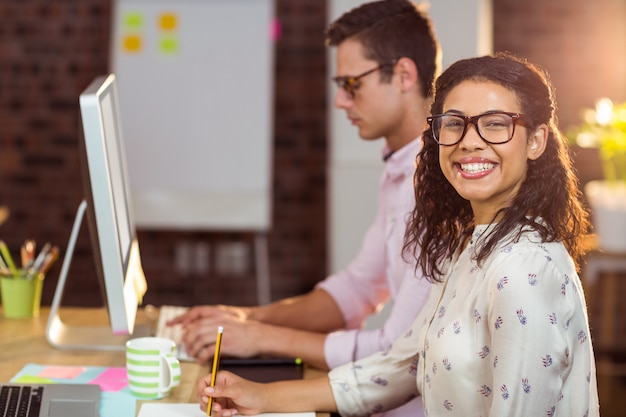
x,y
507,338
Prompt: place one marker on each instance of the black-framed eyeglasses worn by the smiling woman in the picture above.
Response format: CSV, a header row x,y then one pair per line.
x,y
493,127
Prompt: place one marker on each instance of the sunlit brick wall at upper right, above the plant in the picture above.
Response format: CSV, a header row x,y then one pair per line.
x,y
580,43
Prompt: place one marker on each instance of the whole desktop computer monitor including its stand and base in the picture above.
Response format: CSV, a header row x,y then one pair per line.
x,y
111,226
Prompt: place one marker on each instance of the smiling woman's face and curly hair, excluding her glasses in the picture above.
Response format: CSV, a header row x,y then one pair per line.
x,y
544,170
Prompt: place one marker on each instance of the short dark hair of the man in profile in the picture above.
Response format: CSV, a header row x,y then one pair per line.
x,y
389,30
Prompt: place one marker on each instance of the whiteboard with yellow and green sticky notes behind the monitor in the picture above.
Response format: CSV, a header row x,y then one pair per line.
x,y
195,81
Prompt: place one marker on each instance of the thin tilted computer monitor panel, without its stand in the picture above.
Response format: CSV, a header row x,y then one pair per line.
x,y
109,213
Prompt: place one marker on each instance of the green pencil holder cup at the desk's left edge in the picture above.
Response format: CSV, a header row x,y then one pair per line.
x,y
21,295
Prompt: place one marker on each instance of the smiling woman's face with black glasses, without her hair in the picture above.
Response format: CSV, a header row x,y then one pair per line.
x,y
487,164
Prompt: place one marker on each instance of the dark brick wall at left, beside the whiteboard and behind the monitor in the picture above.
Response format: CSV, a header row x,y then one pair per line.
x,y
49,52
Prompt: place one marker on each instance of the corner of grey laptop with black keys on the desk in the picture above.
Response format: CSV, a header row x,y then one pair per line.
x,y
49,400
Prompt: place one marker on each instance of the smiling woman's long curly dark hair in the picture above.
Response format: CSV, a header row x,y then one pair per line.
x,y
548,201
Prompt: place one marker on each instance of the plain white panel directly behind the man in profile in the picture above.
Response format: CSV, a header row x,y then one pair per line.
x,y
464,29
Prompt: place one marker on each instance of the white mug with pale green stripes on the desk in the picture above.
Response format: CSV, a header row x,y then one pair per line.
x,y
152,367
